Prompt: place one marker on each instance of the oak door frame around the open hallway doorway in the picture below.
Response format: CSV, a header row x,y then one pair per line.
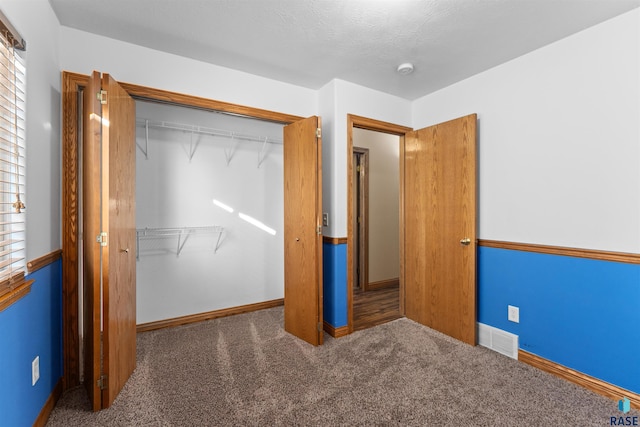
x,y
354,121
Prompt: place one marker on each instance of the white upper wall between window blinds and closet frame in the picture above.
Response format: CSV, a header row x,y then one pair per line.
x,y
38,25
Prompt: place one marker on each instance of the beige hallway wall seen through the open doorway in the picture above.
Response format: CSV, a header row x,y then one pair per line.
x,y
384,202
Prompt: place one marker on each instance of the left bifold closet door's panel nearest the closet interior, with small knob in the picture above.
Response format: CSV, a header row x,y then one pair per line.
x,y
119,272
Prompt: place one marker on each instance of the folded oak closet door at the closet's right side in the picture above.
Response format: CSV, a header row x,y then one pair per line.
x,y
302,156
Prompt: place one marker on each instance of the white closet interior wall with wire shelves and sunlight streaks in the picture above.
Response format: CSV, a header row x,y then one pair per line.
x,y
209,211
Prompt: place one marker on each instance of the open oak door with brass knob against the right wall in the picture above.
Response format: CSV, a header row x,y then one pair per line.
x,y
440,227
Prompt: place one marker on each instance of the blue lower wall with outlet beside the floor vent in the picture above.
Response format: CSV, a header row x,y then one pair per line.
x,y
580,313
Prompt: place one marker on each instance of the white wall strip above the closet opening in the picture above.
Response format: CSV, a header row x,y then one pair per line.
x,y
84,52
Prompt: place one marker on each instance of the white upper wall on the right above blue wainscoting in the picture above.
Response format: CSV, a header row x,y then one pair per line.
x,y
559,136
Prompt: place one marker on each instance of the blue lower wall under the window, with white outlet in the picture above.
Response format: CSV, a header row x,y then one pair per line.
x,y
31,327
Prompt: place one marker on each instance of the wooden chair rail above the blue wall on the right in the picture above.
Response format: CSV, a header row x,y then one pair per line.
x,y
624,257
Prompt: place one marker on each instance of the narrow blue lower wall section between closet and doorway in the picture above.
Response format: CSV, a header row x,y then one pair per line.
x,y
334,271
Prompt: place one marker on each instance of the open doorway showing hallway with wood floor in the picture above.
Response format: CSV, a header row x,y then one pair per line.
x,y
375,207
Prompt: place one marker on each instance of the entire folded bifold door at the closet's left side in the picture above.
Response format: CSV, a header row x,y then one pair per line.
x,y
108,207
